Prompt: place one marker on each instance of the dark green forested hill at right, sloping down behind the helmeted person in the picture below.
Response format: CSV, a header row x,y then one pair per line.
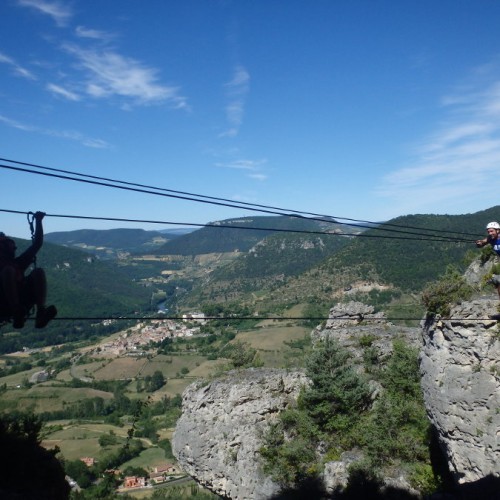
x,y
405,263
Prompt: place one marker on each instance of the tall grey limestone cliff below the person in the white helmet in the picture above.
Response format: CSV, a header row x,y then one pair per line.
x,y
460,367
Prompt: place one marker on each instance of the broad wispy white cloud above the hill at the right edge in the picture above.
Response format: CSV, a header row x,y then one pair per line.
x,y
460,160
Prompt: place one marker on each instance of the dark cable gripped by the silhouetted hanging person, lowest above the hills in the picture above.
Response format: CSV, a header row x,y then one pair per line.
x,y
232,226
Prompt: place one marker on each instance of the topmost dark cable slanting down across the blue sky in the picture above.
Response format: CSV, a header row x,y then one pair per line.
x,y
240,204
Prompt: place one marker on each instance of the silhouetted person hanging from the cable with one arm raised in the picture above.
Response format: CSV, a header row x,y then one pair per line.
x,y
20,293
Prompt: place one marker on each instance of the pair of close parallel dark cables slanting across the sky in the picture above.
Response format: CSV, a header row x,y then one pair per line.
x,y
107,182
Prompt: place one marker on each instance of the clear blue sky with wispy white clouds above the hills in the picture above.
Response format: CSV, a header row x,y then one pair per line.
x,y
360,109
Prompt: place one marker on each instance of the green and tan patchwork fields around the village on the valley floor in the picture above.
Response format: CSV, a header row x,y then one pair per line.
x,y
80,438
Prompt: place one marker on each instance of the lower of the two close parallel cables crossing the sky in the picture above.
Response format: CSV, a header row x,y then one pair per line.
x,y
140,190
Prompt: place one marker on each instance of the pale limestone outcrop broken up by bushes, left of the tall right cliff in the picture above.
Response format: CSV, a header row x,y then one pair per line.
x,y
218,437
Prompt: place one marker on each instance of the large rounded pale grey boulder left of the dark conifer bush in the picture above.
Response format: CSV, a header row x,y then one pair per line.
x,y
218,436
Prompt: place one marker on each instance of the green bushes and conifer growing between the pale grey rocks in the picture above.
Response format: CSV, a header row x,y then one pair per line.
x,y
334,414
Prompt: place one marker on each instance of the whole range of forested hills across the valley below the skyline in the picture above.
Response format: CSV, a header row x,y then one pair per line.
x,y
269,264
